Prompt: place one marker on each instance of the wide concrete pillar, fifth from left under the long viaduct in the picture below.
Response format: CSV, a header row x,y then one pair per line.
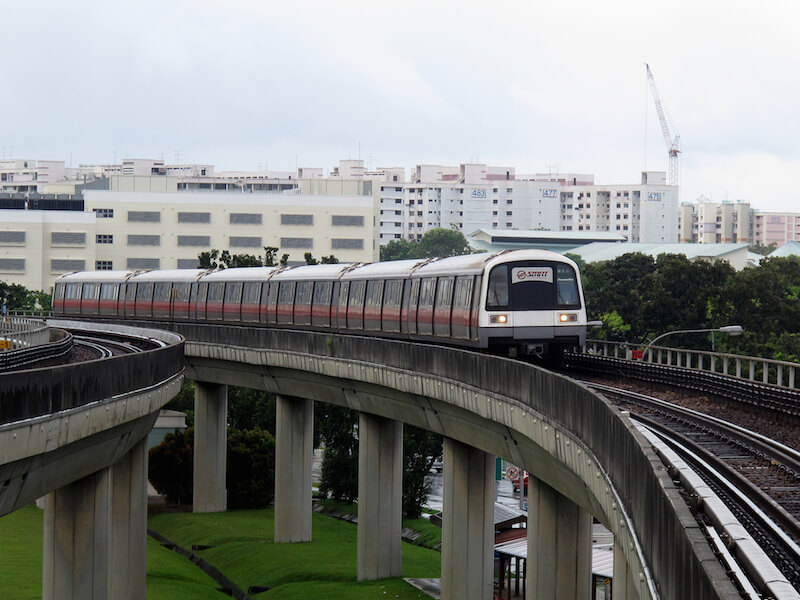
x,y
559,546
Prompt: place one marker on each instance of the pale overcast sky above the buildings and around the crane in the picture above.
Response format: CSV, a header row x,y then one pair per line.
x,y
540,86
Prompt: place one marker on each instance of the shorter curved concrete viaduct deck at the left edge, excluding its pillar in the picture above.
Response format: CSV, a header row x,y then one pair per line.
x,y
61,423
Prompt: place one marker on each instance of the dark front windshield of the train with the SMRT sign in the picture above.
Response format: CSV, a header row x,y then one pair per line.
x,y
533,285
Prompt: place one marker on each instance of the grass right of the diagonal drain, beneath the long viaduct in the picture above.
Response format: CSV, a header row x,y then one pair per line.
x,y
323,568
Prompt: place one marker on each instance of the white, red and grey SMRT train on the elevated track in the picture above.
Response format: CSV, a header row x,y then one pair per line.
x,y
512,302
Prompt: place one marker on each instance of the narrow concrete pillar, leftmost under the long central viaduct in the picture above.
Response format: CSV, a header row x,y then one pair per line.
x,y
210,447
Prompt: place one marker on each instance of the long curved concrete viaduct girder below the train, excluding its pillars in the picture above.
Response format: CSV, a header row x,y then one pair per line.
x,y
566,435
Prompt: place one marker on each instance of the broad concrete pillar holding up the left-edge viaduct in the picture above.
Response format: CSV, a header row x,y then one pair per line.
x,y
95,534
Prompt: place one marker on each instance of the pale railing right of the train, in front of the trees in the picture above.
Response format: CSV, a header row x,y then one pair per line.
x,y
782,374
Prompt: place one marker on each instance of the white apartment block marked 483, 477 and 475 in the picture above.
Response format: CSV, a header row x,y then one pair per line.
x,y
477,196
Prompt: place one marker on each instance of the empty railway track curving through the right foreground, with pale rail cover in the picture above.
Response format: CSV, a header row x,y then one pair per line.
x,y
756,478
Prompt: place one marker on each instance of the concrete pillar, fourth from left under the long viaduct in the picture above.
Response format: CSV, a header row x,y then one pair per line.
x,y
467,523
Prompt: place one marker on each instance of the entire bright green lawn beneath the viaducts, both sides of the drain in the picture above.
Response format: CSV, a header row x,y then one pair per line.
x,y
243,550
